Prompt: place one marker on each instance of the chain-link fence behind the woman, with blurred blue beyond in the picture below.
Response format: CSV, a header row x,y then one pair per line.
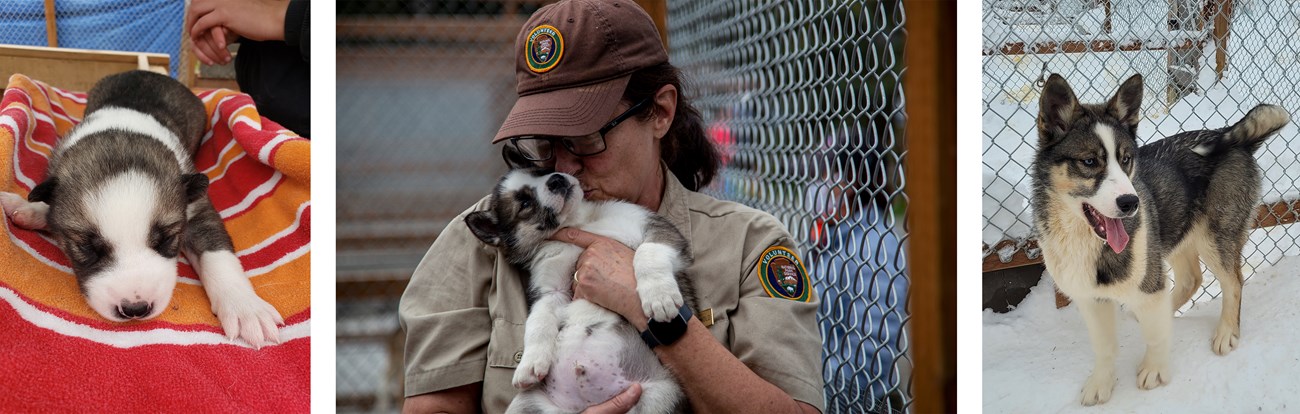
x,y
807,103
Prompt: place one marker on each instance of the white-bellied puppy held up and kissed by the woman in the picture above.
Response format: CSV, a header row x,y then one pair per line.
x,y
580,353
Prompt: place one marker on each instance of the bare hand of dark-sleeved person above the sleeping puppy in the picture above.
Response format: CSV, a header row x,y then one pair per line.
x,y
214,24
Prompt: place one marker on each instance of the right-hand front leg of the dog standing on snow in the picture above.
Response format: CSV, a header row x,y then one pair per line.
x,y
1156,320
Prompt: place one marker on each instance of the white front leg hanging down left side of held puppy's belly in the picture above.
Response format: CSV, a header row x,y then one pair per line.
x,y
553,287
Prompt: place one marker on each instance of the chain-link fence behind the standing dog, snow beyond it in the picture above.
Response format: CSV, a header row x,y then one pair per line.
x,y
1206,64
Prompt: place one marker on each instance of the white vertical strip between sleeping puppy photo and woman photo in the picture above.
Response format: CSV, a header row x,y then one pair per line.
x,y
324,252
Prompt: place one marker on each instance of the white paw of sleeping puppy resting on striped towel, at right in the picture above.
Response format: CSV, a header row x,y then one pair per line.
x,y
250,318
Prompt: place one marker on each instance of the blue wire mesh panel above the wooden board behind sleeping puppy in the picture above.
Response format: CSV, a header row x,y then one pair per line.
x,y
114,25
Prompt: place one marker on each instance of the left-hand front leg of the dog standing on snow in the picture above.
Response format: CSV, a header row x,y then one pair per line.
x,y
1100,318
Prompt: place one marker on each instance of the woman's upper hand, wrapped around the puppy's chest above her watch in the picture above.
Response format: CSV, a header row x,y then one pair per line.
x,y
605,275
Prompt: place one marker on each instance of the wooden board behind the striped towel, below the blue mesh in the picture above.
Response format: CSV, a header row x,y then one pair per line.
x,y
75,70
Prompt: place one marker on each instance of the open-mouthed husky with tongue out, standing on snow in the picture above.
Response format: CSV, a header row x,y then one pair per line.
x,y
1110,213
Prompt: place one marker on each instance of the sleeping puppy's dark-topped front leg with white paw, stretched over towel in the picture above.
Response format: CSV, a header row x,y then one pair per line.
x,y
242,313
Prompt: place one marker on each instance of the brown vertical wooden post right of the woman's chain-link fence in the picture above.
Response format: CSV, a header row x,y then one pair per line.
x,y
931,162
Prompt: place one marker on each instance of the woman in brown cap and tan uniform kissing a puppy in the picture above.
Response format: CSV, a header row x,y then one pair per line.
x,y
597,75
